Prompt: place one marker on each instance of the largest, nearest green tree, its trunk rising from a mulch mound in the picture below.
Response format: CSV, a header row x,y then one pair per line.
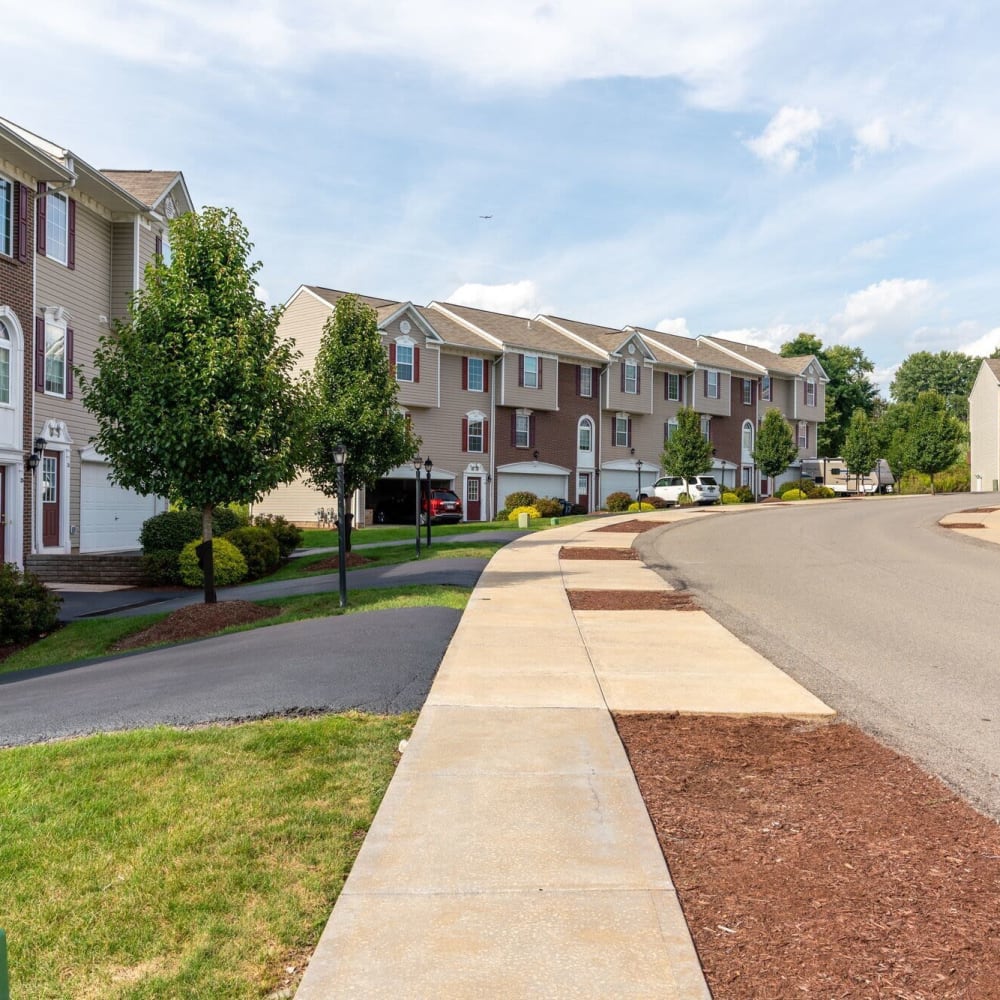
x,y
194,393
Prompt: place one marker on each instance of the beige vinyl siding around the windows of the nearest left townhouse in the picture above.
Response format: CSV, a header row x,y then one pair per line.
x,y
85,294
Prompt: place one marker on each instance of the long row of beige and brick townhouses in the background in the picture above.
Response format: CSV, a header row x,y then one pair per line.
x,y
555,406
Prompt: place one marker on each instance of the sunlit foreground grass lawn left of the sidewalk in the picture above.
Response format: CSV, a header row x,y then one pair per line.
x,y
197,864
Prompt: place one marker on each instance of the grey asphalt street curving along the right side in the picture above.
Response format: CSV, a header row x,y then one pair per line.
x,y
890,619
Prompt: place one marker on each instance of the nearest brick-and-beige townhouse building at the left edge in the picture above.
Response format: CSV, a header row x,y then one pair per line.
x,y
83,239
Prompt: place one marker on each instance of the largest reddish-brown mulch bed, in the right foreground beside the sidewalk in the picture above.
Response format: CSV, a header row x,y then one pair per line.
x,y
811,861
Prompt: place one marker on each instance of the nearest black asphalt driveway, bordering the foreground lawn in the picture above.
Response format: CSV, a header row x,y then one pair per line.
x,y
379,662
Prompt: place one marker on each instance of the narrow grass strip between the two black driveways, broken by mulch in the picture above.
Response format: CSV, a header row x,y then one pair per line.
x,y
92,638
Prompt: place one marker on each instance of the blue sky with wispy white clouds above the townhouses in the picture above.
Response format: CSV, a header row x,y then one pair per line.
x,y
735,168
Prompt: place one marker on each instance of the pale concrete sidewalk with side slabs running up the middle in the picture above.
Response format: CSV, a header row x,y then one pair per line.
x,y
512,855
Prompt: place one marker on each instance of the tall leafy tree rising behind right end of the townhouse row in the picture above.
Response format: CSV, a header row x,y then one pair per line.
x,y
849,387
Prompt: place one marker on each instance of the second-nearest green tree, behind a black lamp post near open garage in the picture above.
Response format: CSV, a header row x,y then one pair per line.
x,y
354,403
